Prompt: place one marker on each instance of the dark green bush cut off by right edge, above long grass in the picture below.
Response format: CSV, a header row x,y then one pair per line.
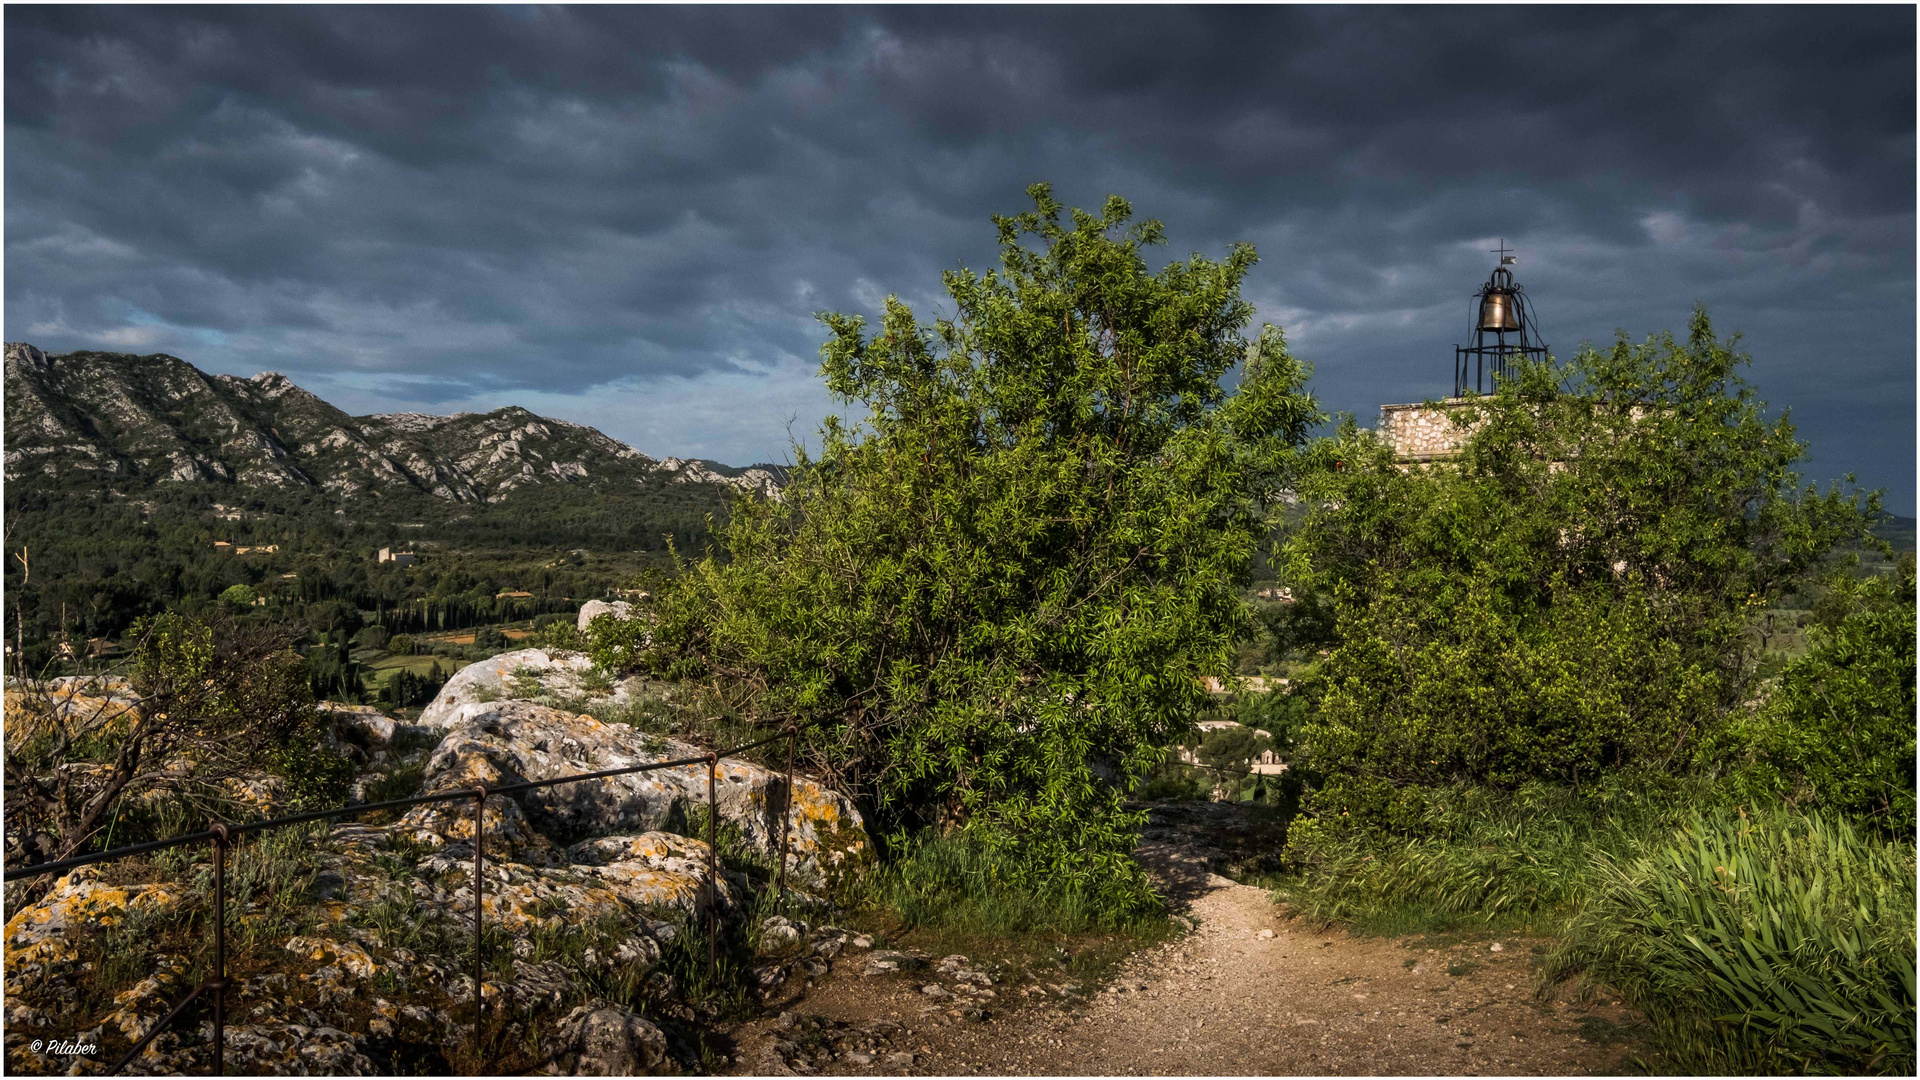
x,y
1838,731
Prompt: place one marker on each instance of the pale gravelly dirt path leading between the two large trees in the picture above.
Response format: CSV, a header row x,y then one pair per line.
x,y
1247,993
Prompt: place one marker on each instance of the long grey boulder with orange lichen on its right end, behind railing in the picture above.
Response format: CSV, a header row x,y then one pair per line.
x,y
510,743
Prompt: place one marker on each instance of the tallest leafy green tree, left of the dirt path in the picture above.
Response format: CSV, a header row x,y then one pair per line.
x,y
997,597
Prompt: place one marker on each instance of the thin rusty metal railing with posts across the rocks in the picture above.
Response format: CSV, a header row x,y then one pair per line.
x,y
224,835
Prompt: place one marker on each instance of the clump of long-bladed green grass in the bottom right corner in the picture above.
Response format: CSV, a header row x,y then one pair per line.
x,y
1779,945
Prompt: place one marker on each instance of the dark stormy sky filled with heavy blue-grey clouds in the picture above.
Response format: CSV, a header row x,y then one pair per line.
x,y
629,216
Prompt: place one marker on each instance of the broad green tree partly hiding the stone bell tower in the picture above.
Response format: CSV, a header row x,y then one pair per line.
x,y
1573,593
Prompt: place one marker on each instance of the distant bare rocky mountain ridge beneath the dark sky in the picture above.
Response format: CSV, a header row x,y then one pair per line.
x,y
126,424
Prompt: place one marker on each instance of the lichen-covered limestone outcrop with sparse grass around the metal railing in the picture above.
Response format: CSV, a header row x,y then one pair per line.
x,y
350,948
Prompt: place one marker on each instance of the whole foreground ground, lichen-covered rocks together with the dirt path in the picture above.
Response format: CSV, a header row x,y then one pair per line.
x,y
352,948
